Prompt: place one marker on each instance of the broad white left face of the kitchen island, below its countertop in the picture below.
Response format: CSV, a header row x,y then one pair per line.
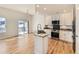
x,y
38,45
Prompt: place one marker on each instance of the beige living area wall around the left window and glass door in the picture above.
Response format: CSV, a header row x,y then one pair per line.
x,y
12,18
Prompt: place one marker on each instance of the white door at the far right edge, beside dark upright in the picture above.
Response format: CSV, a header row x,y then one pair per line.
x,y
77,28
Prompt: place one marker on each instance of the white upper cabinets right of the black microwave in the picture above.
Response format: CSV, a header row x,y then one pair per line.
x,y
66,18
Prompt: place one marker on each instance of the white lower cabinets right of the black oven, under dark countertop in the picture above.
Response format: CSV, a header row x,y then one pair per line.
x,y
66,36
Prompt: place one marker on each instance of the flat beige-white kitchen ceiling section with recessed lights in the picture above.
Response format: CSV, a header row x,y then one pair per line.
x,y
54,8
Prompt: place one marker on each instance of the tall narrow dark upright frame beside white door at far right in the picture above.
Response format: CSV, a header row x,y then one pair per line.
x,y
74,28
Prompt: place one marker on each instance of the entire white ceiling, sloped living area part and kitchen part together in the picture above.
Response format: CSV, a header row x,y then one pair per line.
x,y
30,8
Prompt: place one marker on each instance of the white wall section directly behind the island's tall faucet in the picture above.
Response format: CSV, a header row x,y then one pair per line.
x,y
38,19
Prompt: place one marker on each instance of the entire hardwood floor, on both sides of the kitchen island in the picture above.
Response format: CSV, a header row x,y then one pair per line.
x,y
25,45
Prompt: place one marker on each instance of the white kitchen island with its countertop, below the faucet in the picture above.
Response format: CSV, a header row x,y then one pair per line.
x,y
41,43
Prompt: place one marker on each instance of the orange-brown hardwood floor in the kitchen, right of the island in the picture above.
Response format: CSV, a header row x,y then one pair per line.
x,y
59,47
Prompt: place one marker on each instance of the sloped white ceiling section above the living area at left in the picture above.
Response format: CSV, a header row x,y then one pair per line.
x,y
25,8
